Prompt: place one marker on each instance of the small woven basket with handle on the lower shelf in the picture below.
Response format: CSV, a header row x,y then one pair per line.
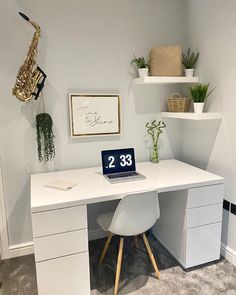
x,y
177,103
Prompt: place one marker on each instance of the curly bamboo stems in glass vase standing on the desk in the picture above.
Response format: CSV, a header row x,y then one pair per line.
x,y
154,129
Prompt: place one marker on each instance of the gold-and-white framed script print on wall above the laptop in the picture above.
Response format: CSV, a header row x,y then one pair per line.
x,y
94,114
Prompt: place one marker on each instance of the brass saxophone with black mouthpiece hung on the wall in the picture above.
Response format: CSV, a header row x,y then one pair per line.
x,y
30,78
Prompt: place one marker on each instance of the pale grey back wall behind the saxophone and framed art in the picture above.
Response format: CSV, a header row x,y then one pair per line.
x,y
85,46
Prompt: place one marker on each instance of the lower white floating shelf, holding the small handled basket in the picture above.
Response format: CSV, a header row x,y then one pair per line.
x,y
192,116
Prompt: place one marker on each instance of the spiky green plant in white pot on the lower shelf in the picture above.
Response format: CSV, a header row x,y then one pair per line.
x,y
199,93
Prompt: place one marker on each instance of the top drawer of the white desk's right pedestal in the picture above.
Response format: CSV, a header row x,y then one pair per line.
x,y
205,195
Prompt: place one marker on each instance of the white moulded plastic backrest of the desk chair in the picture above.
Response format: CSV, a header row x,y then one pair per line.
x,y
135,214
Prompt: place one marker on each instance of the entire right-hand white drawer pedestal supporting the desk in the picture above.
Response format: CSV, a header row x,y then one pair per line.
x,y
192,235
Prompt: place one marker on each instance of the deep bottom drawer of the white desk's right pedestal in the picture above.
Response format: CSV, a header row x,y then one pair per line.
x,y
203,244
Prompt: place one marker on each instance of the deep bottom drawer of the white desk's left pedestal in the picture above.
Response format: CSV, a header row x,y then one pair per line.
x,y
64,276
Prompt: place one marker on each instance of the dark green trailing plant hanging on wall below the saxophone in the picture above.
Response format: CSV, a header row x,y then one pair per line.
x,y
45,136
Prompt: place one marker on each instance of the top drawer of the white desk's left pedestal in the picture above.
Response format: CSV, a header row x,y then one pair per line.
x,y
59,221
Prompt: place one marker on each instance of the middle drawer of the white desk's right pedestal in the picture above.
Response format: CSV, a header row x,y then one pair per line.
x,y
203,215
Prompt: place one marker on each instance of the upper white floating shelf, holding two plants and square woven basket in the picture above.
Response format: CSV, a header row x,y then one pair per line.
x,y
154,80
